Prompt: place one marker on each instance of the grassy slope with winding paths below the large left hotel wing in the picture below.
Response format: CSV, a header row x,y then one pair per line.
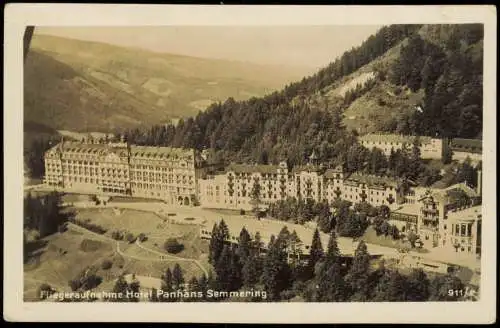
x,y
65,255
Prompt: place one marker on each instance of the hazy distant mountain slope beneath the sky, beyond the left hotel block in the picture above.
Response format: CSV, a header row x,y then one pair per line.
x,y
89,86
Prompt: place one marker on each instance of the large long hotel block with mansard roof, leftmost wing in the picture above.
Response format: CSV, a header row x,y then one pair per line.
x,y
164,173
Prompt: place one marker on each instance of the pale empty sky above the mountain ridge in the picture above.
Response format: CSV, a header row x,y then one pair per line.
x,y
305,46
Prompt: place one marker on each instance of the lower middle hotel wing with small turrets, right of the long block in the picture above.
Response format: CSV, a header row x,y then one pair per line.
x,y
239,186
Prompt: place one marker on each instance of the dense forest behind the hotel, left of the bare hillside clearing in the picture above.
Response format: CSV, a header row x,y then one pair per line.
x,y
281,125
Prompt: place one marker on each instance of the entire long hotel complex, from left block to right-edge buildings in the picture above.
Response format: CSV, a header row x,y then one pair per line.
x,y
176,176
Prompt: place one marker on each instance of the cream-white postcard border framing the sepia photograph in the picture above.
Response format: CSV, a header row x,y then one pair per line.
x,y
18,16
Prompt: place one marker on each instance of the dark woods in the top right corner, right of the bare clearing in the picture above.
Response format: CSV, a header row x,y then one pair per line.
x,y
450,73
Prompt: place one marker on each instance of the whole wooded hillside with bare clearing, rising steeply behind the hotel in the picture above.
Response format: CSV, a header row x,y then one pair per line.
x,y
434,72
